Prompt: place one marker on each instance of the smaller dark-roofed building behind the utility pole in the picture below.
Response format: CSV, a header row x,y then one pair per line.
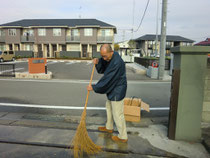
x,y
147,44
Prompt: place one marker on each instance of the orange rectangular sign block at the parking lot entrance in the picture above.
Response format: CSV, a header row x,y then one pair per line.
x,y
36,65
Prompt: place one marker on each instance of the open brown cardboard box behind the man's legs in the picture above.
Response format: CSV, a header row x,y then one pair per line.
x,y
132,109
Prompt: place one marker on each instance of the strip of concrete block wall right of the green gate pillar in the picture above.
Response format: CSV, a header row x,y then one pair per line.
x,y
206,100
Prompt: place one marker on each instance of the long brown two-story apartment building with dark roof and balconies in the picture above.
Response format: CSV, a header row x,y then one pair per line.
x,y
50,38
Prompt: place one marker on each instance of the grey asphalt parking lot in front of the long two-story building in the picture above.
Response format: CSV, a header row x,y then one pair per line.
x,y
69,70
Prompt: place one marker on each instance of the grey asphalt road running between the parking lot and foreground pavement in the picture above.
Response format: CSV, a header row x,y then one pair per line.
x,y
73,93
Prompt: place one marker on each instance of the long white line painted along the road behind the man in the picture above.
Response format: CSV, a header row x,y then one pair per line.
x,y
67,107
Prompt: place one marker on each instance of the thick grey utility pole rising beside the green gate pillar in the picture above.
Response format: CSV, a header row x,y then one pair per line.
x,y
161,69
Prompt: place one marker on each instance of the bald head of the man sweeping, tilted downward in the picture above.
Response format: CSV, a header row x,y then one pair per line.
x,y
106,52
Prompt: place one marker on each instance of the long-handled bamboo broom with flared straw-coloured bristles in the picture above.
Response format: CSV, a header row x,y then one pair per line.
x,y
82,142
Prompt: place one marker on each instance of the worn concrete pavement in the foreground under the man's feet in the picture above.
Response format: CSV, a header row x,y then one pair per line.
x,y
33,136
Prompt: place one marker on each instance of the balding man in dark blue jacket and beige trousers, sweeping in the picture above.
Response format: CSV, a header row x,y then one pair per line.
x,y
114,85
